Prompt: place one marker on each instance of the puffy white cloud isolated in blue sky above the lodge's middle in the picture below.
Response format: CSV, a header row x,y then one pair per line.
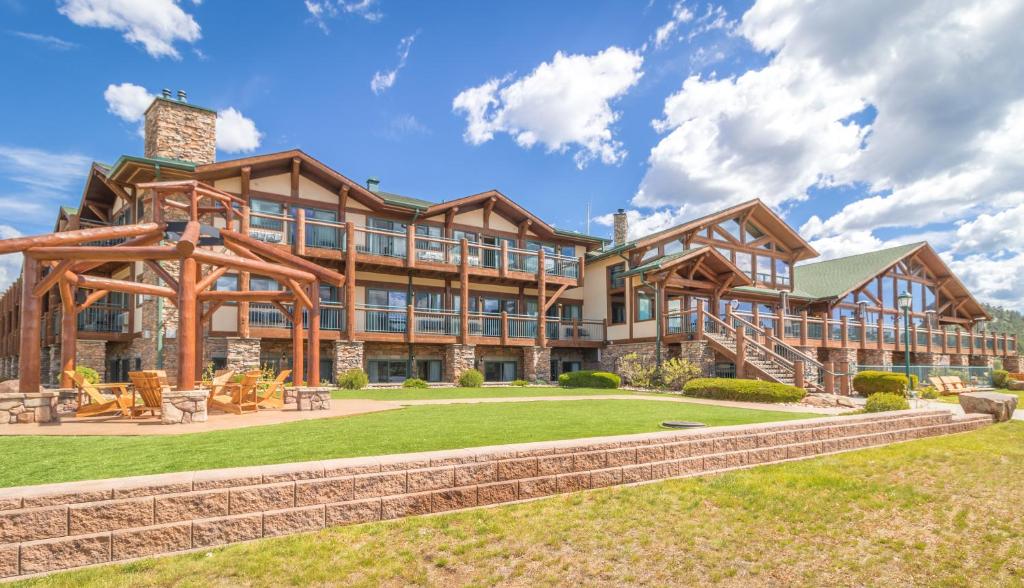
x,y
567,102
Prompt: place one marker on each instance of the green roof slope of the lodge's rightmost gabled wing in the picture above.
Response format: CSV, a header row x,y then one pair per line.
x,y
837,277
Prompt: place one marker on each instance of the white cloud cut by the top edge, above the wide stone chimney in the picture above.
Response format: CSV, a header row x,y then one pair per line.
x,y
155,24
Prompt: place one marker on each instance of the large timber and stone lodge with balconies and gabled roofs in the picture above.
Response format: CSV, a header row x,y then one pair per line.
x,y
435,288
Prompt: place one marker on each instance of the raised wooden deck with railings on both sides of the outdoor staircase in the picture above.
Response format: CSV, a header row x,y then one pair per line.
x,y
806,331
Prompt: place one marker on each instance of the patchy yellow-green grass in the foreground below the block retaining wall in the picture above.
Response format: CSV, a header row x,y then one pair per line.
x,y
937,513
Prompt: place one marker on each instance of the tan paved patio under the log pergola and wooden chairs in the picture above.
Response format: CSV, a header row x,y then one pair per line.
x,y
218,422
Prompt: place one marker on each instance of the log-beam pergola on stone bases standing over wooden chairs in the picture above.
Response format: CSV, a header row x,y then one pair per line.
x,y
185,231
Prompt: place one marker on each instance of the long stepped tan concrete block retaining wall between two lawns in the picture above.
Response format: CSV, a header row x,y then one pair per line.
x,y
56,527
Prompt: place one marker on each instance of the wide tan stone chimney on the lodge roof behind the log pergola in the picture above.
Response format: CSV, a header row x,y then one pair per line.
x,y
176,130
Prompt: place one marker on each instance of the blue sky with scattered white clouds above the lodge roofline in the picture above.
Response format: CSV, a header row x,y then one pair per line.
x,y
866,125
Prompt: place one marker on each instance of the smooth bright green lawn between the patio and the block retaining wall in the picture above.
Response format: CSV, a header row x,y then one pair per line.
x,y
30,460
